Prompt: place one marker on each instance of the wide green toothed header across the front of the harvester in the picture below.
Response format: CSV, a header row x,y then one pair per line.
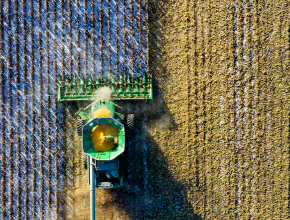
x,y
122,87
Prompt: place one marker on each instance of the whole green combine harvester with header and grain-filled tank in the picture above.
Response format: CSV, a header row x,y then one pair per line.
x,y
102,127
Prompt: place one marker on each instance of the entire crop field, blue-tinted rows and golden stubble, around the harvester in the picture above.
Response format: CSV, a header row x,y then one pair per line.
x,y
213,144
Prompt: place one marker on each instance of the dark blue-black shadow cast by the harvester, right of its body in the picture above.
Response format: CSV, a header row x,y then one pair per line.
x,y
150,190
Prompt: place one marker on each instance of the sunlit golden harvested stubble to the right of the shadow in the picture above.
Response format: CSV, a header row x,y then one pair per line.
x,y
236,122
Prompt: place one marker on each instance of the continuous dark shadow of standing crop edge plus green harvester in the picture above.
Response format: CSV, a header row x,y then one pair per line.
x,y
150,190
